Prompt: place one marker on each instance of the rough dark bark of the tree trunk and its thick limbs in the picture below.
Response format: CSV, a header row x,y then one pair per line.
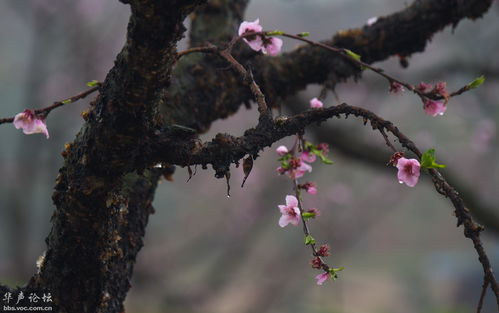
x,y
151,109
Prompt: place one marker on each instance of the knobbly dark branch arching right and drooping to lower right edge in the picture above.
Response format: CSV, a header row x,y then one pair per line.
x,y
225,149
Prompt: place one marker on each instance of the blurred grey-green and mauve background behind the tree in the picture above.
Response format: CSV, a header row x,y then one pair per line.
x,y
205,252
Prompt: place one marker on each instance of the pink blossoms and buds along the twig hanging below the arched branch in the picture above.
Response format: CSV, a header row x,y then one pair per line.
x,y
291,212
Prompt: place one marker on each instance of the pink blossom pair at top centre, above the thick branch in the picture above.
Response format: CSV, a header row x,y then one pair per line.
x,y
259,42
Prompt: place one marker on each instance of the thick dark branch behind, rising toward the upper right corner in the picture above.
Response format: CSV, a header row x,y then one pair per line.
x,y
200,84
